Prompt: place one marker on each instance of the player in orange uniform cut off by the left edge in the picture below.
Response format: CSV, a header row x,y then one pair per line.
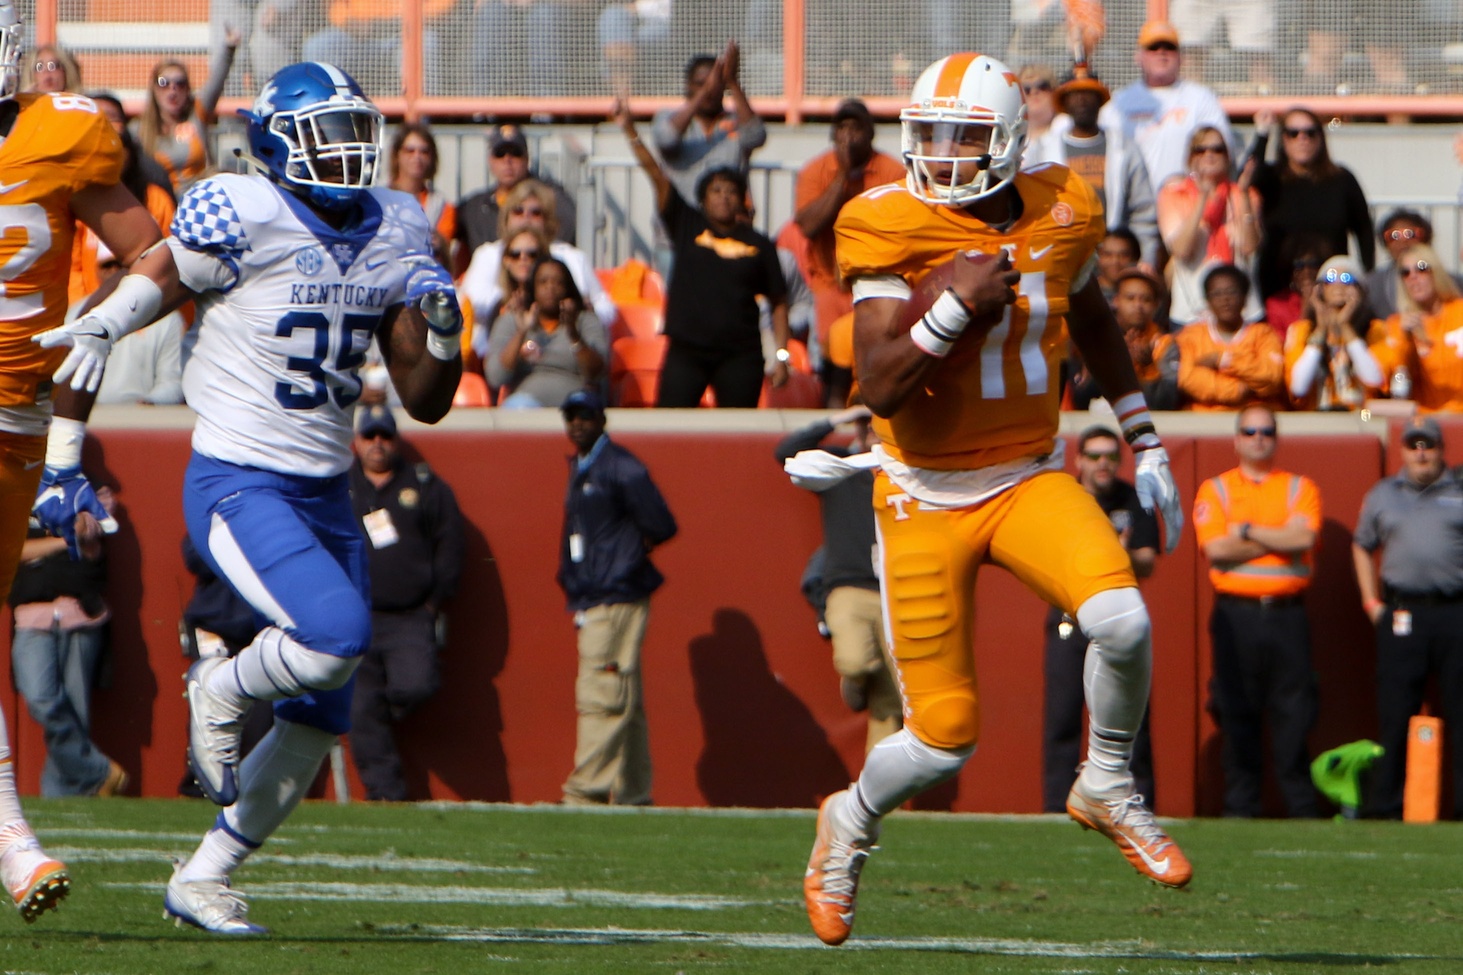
x,y
59,163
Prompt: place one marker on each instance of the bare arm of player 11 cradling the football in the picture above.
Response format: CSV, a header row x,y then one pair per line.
x,y
892,364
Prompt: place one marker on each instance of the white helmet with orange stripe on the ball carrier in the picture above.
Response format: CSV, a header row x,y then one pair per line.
x,y
955,97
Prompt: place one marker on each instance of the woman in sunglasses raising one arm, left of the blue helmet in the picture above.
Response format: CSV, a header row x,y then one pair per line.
x,y
173,128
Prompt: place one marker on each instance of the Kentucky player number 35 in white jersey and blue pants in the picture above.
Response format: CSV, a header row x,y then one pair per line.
x,y
293,273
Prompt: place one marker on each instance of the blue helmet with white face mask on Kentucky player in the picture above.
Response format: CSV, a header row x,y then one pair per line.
x,y
317,134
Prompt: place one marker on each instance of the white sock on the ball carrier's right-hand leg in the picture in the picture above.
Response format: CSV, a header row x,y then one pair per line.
x,y
1117,674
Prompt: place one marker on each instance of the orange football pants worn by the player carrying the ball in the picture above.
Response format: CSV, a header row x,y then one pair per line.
x,y
1048,532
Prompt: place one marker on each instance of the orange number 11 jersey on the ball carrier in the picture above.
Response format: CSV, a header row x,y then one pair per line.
x,y
998,399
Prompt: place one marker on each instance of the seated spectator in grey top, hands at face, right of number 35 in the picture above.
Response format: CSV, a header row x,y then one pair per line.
x,y
551,349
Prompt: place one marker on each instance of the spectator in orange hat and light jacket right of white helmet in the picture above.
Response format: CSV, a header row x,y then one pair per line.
x,y
1114,169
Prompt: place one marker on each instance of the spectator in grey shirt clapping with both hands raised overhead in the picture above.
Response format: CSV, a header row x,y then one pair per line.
x,y
702,135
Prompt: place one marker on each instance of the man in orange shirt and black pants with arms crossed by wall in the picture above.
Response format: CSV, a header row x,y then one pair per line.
x,y
1257,526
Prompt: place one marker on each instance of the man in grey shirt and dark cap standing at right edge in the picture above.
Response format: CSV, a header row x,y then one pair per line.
x,y
1415,602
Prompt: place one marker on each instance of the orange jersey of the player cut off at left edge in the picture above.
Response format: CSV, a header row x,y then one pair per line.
x,y
59,146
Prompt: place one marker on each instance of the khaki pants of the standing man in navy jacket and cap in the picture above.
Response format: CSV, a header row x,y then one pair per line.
x,y
612,756
